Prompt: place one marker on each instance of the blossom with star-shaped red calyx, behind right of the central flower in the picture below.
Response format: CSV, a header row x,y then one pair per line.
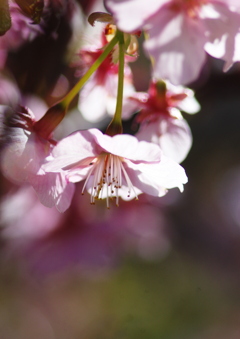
x,y
160,118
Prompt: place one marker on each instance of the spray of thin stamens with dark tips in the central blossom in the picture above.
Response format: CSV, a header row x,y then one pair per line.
x,y
108,175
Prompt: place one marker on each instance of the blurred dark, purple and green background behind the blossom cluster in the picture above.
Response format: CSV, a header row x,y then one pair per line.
x,y
154,268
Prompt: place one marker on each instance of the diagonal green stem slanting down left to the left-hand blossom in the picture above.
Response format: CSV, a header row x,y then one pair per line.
x,y
74,91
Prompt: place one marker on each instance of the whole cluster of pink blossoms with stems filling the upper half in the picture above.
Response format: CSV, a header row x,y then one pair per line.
x,y
177,36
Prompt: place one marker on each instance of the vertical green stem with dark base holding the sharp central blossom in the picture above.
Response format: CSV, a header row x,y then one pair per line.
x,y
115,126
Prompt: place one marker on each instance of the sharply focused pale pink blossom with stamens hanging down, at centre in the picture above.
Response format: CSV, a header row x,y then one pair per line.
x,y
118,166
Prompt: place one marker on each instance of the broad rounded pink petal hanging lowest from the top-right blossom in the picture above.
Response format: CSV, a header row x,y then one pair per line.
x,y
177,45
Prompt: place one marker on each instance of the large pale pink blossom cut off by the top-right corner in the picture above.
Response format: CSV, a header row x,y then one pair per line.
x,y
180,32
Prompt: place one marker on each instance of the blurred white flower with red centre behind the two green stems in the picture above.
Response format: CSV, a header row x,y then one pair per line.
x,y
97,99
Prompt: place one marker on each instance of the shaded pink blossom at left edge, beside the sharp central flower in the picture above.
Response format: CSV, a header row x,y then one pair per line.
x,y
23,155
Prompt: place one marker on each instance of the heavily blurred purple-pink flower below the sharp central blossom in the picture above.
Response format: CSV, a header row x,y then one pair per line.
x,y
90,240
